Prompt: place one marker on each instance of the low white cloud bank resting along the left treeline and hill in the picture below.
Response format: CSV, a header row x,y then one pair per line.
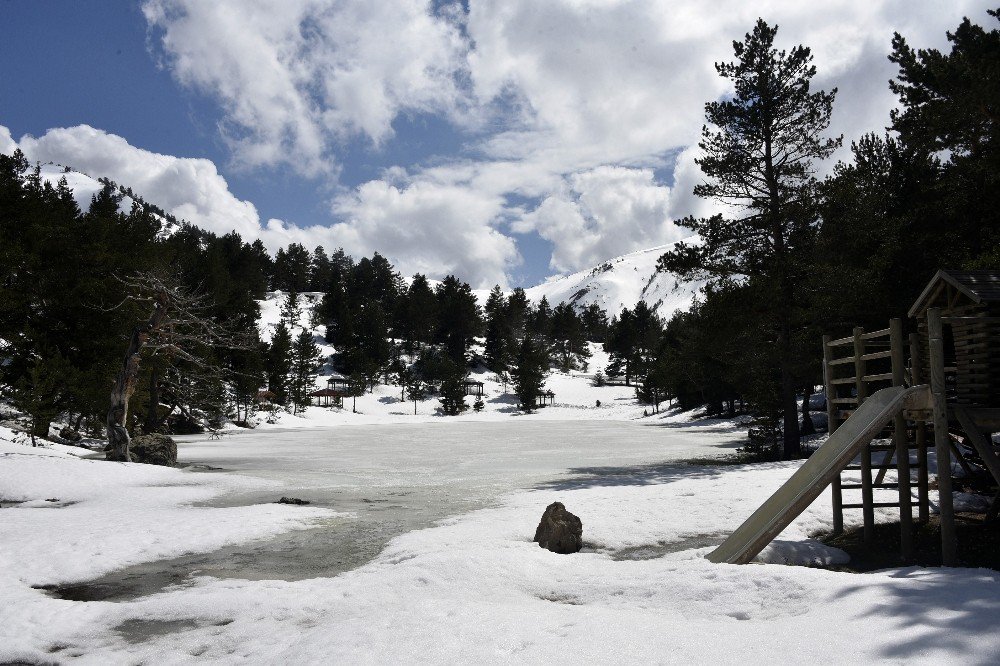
x,y
422,227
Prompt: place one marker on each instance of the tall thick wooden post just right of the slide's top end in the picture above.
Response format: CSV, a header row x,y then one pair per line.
x,y
935,339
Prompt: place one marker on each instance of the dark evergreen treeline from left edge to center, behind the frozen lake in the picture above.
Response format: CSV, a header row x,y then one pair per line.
x,y
74,287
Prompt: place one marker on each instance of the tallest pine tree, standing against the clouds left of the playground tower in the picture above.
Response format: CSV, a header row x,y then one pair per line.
x,y
758,154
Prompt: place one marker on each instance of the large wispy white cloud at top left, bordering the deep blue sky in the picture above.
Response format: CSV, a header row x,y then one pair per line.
x,y
297,76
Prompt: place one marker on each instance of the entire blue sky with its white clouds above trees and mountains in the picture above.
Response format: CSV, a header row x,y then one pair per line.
x,y
504,142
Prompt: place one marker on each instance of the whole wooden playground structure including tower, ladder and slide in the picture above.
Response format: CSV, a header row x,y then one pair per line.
x,y
890,397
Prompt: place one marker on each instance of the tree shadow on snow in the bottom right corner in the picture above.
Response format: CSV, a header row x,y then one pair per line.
x,y
948,610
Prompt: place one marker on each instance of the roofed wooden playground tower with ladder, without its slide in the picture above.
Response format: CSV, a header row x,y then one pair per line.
x,y
955,354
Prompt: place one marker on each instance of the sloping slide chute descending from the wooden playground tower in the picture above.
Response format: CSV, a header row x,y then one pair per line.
x,y
817,472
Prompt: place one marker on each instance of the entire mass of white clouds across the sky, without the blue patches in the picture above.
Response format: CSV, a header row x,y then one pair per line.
x,y
567,110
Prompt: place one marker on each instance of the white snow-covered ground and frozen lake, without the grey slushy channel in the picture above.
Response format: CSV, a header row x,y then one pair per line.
x,y
472,587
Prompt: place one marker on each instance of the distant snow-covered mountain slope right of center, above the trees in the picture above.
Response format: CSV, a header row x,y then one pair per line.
x,y
619,283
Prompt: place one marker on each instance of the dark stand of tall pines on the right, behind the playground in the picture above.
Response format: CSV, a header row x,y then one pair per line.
x,y
809,256
